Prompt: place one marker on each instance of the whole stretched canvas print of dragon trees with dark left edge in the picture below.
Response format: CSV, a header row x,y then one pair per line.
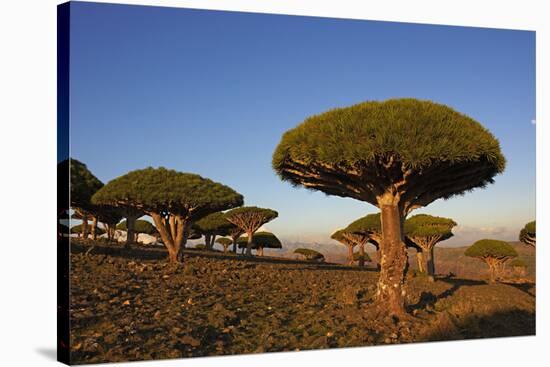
x,y
236,183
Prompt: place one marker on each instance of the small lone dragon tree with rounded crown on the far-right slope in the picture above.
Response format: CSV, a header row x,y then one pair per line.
x,y
493,252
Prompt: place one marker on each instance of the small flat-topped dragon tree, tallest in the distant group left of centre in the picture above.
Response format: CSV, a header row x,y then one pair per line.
x,y
250,219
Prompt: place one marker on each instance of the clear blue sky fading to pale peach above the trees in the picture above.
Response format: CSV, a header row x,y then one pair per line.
x,y
212,92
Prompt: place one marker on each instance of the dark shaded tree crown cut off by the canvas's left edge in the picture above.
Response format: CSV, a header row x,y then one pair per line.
x,y
82,182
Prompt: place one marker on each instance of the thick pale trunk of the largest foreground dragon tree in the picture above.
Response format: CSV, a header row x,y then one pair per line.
x,y
391,290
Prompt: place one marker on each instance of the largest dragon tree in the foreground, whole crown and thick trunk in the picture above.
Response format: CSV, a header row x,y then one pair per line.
x,y
397,155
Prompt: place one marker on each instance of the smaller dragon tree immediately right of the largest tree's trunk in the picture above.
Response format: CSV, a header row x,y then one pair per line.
x,y
425,231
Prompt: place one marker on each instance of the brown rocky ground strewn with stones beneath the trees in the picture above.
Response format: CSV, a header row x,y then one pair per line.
x,y
132,305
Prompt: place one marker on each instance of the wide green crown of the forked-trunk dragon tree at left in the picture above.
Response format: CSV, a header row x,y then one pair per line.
x,y
163,190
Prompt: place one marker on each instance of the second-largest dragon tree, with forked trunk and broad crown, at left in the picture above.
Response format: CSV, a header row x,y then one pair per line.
x,y
173,199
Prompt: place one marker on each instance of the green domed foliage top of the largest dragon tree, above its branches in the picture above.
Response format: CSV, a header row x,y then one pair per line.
x,y
420,131
